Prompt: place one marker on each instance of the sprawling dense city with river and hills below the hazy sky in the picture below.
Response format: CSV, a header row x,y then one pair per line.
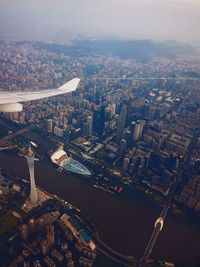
x,y
107,174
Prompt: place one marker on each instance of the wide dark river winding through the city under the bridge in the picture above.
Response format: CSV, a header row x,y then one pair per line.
x,y
125,222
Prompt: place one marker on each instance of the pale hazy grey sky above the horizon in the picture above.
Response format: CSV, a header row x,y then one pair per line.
x,y
133,19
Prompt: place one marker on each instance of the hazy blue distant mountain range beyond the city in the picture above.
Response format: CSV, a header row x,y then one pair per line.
x,y
140,50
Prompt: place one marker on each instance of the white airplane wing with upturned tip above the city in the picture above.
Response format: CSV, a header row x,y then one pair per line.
x,y
10,101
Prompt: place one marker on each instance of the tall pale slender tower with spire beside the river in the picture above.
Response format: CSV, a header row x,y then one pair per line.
x,y
30,159
